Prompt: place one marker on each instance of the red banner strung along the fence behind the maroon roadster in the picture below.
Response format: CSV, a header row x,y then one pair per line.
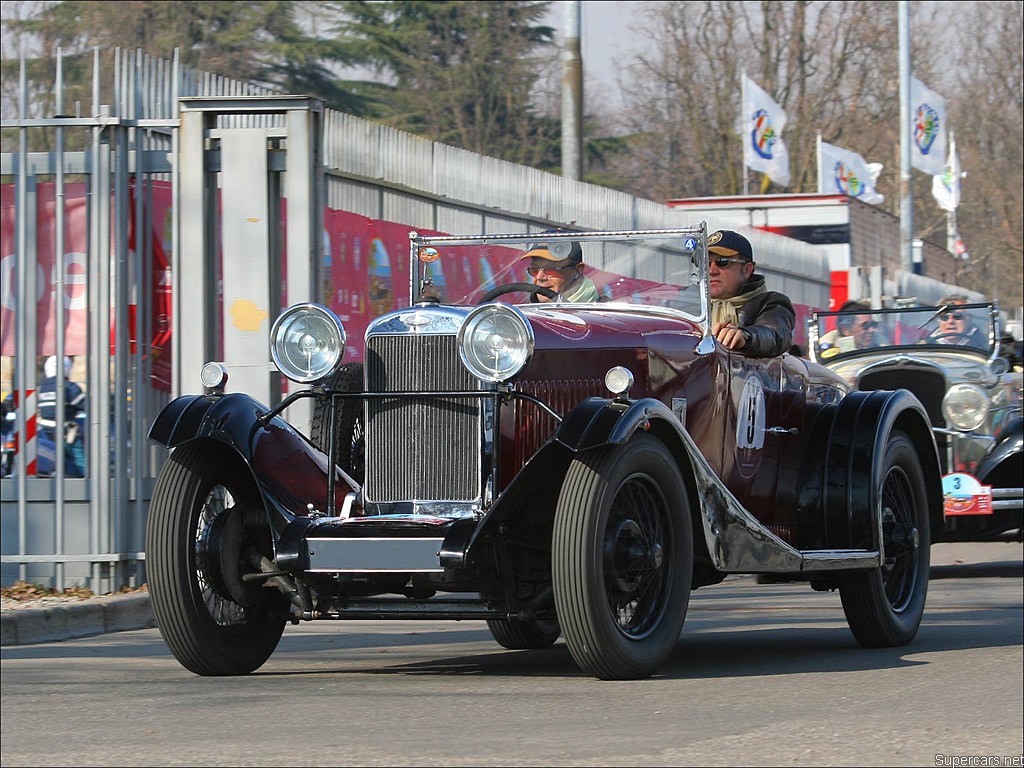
x,y
366,273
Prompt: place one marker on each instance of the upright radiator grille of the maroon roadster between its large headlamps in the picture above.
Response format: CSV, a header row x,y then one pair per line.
x,y
422,449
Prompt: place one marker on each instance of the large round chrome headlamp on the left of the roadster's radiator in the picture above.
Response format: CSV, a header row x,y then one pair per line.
x,y
308,343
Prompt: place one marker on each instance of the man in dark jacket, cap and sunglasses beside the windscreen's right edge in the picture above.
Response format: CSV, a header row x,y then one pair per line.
x,y
745,316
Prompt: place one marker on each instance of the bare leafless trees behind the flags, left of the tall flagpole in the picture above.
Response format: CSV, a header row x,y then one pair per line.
x,y
820,61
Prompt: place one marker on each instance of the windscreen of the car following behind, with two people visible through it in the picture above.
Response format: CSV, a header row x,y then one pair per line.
x,y
952,326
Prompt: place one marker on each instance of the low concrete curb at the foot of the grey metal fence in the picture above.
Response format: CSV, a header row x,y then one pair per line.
x,y
115,614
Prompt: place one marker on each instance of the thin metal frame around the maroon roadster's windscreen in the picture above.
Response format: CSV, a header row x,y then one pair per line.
x,y
699,233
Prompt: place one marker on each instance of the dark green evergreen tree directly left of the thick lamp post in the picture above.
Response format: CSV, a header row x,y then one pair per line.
x,y
467,74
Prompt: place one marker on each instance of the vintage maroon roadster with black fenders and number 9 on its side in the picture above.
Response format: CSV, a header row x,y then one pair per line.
x,y
549,467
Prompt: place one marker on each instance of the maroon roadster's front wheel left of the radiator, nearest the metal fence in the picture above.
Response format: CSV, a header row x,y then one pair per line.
x,y
208,633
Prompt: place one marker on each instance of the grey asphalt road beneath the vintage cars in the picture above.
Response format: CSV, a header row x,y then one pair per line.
x,y
763,675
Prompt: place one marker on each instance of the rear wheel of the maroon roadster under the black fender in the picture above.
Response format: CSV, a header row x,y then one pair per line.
x,y
884,607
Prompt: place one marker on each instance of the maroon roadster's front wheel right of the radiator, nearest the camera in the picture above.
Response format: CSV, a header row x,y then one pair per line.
x,y
623,559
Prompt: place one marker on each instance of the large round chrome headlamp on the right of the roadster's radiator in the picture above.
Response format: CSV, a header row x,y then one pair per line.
x,y
496,342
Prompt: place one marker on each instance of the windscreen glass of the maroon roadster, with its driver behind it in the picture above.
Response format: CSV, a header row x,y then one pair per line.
x,y
654,272
